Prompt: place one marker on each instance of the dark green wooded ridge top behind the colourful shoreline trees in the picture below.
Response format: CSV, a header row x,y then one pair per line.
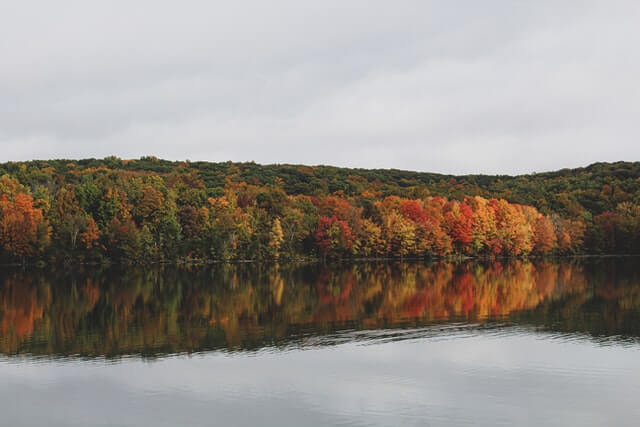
x,y
589,190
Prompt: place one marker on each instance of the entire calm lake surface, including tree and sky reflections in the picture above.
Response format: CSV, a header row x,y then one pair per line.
x,y
512,343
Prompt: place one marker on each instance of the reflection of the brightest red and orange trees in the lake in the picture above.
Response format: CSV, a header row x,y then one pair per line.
x,y
441,291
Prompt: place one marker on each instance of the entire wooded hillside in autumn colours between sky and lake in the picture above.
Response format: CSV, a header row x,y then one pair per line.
x,y
156,211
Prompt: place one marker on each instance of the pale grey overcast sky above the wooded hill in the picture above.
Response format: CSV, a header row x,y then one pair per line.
x,y
448,86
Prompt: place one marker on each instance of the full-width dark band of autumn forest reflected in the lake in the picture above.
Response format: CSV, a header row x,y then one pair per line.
x,y
154,312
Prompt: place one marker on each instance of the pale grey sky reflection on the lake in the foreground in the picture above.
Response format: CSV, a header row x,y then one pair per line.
x,y
483,379
